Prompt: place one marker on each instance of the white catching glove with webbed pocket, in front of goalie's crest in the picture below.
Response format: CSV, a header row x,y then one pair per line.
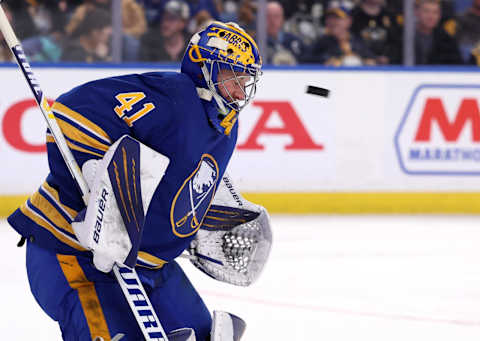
x,y
234,241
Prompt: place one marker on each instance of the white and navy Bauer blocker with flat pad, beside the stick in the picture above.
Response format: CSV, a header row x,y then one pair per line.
x,y
121,188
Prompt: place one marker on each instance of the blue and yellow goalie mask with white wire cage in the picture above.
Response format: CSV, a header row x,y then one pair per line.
x,y
223,46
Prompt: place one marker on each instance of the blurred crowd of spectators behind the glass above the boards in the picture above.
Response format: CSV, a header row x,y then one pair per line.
x,y
329,32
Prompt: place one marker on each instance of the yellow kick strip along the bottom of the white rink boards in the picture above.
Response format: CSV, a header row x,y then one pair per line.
x,y
340,203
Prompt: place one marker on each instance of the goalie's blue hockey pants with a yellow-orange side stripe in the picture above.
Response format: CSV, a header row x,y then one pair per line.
x,y
88,303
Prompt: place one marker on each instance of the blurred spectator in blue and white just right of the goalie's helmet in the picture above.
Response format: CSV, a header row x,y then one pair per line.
x,y
282,47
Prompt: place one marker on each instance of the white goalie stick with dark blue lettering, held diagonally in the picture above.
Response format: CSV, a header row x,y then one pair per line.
x,y
127,278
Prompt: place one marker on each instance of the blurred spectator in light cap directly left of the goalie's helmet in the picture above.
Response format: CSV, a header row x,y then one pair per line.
x,y
169,39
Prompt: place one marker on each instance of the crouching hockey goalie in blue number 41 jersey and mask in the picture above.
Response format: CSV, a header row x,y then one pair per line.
x,y
153,148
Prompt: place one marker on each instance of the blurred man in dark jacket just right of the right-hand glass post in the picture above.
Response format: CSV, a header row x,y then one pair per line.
x,y
433,45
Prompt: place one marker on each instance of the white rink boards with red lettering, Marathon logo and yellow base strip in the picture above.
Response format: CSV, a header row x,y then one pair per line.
x,y
385,140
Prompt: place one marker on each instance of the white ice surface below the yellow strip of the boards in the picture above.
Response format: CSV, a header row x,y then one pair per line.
x,y
335,278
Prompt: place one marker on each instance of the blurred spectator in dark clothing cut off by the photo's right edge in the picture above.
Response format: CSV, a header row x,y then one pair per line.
x,y
468,24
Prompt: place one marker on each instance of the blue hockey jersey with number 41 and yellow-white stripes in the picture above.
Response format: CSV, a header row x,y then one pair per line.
x,y
163,111
